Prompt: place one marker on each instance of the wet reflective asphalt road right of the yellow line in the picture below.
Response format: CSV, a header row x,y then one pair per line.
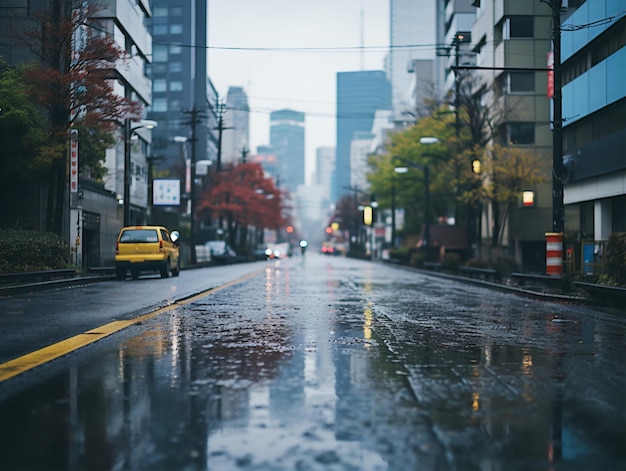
x,y
333,364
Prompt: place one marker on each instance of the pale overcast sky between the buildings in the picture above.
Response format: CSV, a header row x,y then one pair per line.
x,y
247,42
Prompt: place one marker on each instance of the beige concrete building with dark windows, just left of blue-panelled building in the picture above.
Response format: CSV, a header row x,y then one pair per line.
x,y
511,40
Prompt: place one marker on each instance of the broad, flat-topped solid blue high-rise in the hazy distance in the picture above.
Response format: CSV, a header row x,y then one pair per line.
x,y
359,95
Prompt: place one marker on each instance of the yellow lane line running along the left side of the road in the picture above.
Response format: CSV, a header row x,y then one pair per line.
x,y
29,361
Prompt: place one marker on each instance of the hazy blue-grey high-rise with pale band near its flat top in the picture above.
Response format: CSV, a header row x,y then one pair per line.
x,y
287,140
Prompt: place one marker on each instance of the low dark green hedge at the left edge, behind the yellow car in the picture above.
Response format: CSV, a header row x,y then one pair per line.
x,y
31,251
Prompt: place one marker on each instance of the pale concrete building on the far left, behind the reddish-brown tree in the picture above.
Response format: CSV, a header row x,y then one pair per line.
x,y
96,216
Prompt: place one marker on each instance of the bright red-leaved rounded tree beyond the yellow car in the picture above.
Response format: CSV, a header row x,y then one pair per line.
x,y
244,197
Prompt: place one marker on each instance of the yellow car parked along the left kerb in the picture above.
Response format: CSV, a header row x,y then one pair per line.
x,y
147,248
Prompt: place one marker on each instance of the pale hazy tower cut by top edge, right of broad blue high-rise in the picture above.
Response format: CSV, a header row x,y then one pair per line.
x,y
411,36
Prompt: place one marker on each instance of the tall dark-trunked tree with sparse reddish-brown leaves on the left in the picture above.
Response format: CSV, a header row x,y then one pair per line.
x,y
71,82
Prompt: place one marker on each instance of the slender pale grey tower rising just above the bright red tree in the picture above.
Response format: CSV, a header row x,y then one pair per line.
x,y
235,137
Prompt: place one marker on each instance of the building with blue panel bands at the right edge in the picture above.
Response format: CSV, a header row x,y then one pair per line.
x,y
594,131
